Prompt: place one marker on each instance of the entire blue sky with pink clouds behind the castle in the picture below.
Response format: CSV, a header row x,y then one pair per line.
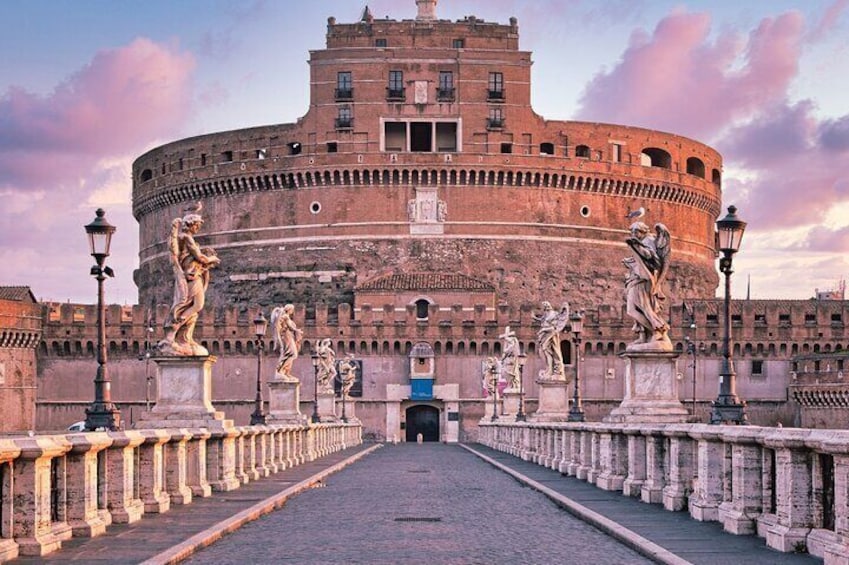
x,y
86,86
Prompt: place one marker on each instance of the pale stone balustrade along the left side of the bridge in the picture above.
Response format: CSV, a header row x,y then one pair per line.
x,y
58,486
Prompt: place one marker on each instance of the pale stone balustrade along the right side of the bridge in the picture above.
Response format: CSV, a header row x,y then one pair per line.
x,y
789,486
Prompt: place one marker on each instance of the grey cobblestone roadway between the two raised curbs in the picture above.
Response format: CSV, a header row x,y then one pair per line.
x,y
411,503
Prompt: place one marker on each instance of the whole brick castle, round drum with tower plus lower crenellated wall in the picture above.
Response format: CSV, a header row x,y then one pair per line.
x,y
418,208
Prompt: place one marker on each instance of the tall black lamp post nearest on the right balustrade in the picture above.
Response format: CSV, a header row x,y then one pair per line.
x,y
728,408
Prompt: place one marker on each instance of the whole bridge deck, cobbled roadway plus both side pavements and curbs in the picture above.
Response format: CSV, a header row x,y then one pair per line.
x,y
412,503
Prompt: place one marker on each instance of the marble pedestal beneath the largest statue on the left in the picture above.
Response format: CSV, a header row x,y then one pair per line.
x,y
184,395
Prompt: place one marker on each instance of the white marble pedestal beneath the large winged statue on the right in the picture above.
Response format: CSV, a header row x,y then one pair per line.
x,y
651,390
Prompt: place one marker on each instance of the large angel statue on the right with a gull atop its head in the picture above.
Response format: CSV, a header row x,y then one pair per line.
x,y
644,296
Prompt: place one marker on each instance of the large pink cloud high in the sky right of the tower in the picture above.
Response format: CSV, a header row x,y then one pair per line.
x,y
678,79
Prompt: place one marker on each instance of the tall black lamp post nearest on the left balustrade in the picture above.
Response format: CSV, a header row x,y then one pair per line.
x,y
102,413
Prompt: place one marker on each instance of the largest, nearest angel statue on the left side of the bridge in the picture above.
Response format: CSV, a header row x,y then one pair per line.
x,y
190,264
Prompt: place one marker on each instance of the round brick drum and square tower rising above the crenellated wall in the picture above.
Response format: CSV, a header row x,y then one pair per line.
x,y
448,170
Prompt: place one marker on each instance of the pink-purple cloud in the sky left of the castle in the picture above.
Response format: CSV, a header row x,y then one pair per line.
x,y
123,99
